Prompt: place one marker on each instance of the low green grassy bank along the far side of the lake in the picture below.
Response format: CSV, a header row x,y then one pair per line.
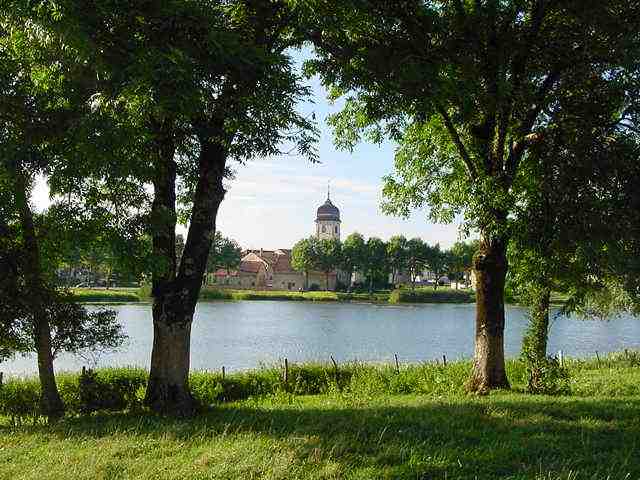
x,y
420,295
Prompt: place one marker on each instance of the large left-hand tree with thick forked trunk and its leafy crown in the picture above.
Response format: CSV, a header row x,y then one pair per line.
x,y
206,83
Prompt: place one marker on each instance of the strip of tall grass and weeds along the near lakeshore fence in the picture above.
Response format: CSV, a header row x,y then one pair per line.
x,y
115,389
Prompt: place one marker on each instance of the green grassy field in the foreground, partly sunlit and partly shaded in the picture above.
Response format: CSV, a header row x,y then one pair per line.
x,y
358,433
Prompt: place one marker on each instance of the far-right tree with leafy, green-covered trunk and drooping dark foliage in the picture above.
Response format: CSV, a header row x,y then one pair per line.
x,y
572,243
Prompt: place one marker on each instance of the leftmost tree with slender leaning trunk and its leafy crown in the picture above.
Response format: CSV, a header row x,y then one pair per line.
x,y
43,100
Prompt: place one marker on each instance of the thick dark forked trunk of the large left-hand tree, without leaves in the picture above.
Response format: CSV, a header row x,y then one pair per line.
x,y
176,295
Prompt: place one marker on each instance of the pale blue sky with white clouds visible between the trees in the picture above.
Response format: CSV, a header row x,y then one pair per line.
x,y
271,203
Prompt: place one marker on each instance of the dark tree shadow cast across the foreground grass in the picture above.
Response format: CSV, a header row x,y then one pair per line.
x,y
495,437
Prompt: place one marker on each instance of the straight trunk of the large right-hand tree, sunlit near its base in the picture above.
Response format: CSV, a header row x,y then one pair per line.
x,y
491,268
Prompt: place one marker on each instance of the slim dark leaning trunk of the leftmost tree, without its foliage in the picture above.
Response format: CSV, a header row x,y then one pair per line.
x,y
51,403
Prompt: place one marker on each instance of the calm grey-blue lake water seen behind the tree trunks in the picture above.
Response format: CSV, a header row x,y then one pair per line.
x,y
246,334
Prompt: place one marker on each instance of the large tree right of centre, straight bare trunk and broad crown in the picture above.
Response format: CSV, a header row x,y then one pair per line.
x,y
468,89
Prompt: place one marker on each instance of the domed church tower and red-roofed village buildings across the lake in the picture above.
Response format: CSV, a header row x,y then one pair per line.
x,y
271,269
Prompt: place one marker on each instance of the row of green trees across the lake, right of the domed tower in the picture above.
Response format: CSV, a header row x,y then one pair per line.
x,y
376,260
